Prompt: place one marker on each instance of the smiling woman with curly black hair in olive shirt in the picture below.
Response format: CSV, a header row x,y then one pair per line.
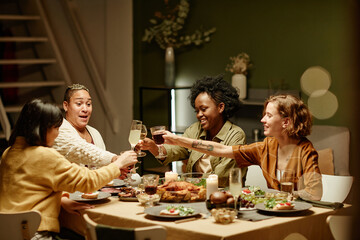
x,y
214,101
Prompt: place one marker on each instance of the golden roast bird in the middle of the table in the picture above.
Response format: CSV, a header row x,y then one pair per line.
x,y
181,191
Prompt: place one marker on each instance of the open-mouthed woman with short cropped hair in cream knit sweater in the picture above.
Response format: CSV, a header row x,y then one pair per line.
x,y
77,141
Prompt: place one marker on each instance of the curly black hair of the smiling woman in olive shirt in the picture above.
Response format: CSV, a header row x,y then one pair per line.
x,y
220,91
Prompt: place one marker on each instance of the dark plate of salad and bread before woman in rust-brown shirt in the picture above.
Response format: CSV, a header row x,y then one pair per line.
x,y
282,206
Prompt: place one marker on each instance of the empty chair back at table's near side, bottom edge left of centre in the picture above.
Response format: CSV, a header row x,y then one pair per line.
x,y
95,231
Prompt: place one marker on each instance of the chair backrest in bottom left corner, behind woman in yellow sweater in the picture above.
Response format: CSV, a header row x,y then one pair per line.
x,y
19,225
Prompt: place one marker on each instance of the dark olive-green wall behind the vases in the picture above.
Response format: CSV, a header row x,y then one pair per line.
x,y
283,39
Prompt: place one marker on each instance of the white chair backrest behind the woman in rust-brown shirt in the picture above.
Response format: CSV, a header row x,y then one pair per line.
x,y
335,188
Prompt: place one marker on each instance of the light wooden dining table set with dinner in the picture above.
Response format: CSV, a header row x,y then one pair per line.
x,y
254,224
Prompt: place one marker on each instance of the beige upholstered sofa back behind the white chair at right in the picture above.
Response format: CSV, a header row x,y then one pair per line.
x,y
336,138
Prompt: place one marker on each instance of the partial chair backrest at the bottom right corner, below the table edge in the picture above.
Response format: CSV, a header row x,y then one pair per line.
x,y
340,226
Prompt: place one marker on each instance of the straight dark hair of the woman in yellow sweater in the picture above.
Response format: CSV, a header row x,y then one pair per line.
x,y
36,117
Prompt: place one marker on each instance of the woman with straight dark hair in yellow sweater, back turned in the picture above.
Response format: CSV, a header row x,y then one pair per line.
x,y
33,175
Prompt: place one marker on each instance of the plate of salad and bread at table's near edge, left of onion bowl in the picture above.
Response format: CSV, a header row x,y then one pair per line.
x,y
172,211
